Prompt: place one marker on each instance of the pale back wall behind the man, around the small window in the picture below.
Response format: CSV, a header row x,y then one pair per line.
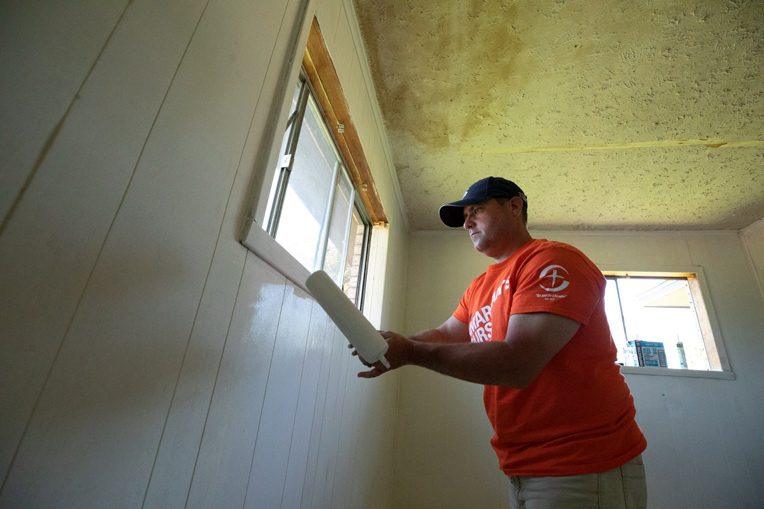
x,y
705,436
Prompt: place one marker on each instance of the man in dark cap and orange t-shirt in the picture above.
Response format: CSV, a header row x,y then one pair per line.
x,y
533,330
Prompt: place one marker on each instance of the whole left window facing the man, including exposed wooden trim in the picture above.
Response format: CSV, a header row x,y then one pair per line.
x,y
315,204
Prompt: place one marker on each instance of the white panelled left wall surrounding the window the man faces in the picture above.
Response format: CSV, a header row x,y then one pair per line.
x,y
146,358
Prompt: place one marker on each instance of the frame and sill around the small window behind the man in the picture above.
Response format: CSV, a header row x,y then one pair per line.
x,y
711,332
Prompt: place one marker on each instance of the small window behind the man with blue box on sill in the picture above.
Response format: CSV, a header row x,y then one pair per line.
x,y
661,320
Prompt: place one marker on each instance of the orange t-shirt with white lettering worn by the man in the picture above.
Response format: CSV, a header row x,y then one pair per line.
x,y
577,416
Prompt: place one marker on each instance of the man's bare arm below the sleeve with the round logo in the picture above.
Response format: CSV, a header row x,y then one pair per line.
x,y
532,340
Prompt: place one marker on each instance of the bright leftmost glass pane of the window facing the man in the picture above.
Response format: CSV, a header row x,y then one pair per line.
x,y
307,195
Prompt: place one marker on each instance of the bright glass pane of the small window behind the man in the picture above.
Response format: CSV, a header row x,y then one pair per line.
x,y
660,311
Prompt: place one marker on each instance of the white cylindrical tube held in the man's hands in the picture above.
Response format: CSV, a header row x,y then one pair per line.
x,y
369,344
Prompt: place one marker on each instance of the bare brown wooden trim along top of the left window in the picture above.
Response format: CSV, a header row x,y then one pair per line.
x,y
323,78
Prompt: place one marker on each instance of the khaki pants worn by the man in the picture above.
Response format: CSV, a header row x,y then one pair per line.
x,y
621,488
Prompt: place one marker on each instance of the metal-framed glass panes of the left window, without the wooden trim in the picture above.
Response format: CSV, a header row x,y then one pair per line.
x,y
313,210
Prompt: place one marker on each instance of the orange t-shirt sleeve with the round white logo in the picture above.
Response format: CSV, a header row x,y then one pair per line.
x,y
560,281
